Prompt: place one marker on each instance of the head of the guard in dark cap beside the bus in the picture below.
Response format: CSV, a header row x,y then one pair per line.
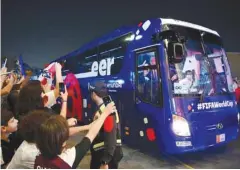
x,y
98,90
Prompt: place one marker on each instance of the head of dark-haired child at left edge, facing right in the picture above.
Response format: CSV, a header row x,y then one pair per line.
x,y
8,123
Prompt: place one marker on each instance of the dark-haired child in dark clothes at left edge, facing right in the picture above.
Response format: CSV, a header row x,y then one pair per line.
x,y
8,125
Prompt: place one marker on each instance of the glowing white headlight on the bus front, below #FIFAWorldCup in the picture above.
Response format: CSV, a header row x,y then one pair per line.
x,y
180,126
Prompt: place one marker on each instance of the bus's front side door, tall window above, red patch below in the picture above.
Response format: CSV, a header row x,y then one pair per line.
x,y
148,97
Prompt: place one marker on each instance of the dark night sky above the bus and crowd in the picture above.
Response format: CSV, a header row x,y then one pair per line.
x,y
42,30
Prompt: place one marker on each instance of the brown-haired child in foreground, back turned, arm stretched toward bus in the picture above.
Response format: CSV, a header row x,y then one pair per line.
x,y
51,141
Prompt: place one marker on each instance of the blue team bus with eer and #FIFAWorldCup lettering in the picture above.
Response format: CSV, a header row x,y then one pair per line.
x,y
170,80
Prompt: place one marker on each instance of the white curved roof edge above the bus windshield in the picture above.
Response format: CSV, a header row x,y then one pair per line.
x,y
187,24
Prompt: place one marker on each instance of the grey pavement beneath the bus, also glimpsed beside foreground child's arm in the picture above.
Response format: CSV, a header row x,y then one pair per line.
x,y
226,157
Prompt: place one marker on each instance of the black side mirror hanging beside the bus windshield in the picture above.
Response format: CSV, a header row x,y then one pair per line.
x,y
175,52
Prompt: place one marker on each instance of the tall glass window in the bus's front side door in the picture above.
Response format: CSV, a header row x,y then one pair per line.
x,y
148,87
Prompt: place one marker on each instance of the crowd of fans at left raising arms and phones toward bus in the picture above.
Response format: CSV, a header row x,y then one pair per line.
x,y
33,135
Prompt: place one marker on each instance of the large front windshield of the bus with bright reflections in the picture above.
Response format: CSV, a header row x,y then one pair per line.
x,y
205,68
